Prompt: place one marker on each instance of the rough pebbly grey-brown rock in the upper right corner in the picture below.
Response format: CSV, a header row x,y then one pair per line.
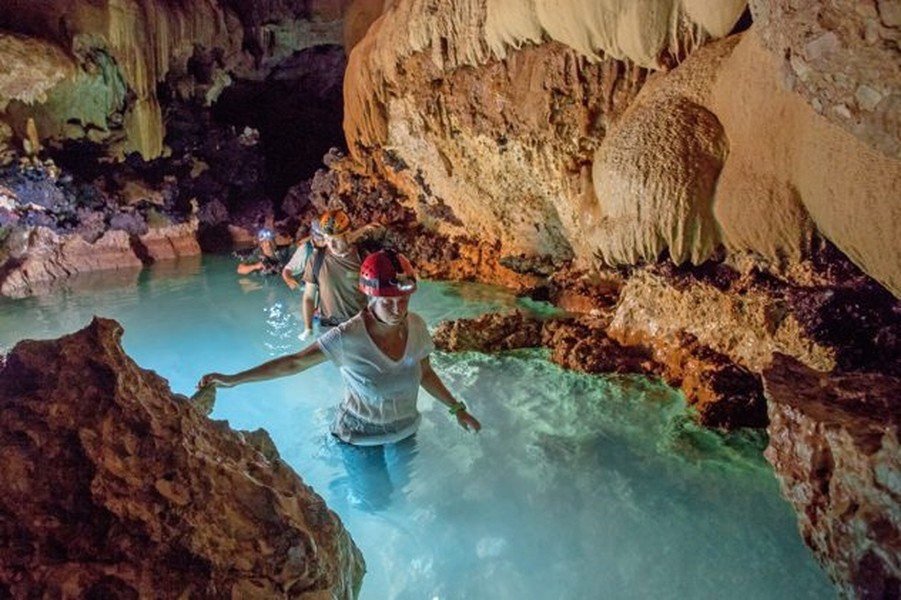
x,y
842,58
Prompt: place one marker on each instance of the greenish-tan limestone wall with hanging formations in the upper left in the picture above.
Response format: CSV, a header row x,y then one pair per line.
x,y
122,50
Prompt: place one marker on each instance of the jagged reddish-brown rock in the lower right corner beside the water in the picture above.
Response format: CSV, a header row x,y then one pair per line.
x,y
834,442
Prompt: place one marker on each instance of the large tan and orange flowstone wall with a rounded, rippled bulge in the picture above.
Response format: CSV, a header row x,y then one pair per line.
x,y
560,149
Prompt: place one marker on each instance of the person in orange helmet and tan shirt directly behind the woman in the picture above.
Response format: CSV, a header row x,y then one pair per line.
x,y
333,277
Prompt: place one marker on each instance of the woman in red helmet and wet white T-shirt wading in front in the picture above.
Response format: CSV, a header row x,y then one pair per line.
x,y
382,354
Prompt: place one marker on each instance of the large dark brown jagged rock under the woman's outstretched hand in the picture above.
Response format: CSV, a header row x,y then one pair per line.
x,y
113,488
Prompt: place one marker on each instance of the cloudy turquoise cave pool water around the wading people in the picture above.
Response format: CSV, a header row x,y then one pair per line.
x,y
577,487
